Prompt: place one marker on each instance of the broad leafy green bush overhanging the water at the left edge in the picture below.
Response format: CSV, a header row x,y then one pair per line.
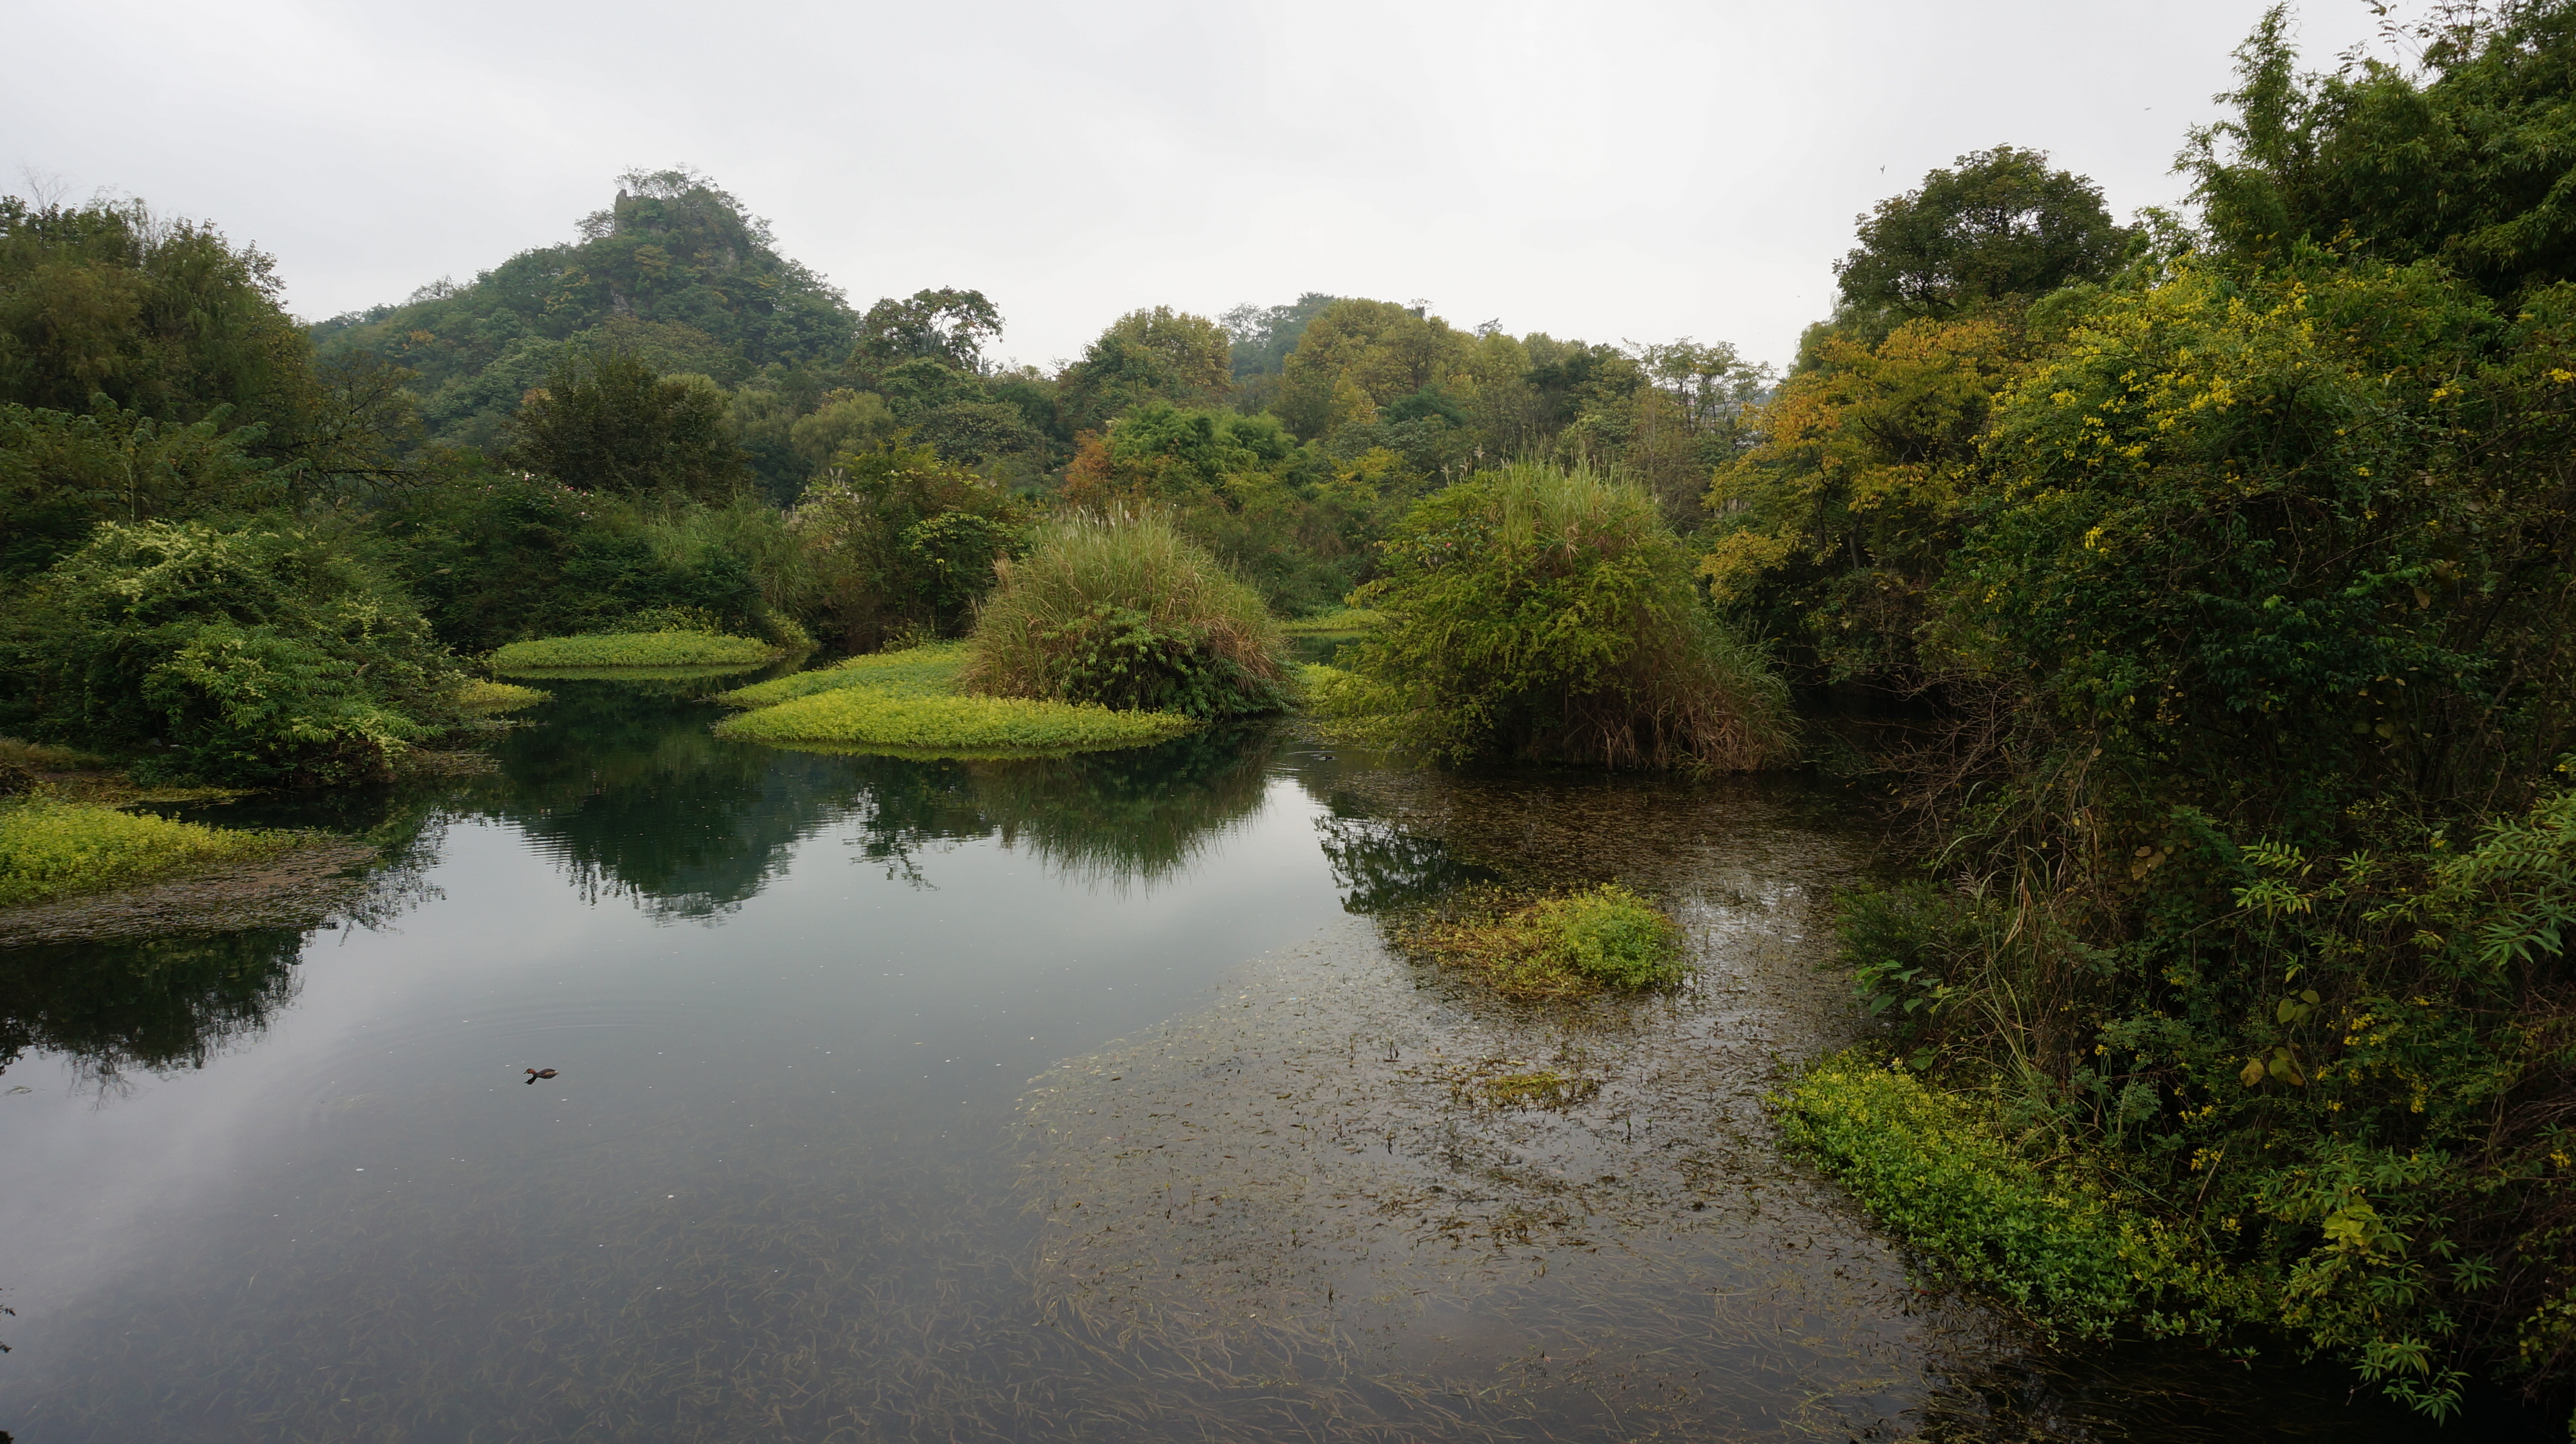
x,y
264,655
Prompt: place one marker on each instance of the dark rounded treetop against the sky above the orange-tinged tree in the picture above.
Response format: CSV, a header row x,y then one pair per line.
x,y
1998,228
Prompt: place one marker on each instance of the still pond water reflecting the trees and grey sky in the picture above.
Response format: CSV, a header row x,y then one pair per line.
x,y
926,1100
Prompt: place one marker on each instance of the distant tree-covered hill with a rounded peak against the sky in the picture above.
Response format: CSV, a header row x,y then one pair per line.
x,y
674,274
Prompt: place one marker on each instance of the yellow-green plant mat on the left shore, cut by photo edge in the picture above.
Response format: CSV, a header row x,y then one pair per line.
x,y
61,851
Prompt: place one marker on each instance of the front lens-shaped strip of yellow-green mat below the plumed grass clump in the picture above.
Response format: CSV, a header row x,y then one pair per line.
x,y
947,725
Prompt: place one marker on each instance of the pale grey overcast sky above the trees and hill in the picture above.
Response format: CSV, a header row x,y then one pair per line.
x,y
1606,171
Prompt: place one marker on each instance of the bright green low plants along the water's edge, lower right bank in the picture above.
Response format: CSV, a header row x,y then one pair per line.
x,y
2070,1252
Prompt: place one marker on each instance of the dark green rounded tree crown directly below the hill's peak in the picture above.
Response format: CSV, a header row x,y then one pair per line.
x,y
609,423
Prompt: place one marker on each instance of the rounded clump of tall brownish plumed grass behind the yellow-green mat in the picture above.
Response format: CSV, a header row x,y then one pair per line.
x,y
1127,614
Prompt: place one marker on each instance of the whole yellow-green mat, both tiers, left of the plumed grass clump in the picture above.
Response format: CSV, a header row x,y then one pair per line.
x,y
905,704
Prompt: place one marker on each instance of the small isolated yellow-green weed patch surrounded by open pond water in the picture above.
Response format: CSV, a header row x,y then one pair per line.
x,y
1552,946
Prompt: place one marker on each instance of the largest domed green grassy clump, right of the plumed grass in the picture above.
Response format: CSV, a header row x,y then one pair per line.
x,y
1549,616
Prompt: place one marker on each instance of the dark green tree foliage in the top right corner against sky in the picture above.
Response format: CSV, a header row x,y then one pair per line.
x,y
2464,161
